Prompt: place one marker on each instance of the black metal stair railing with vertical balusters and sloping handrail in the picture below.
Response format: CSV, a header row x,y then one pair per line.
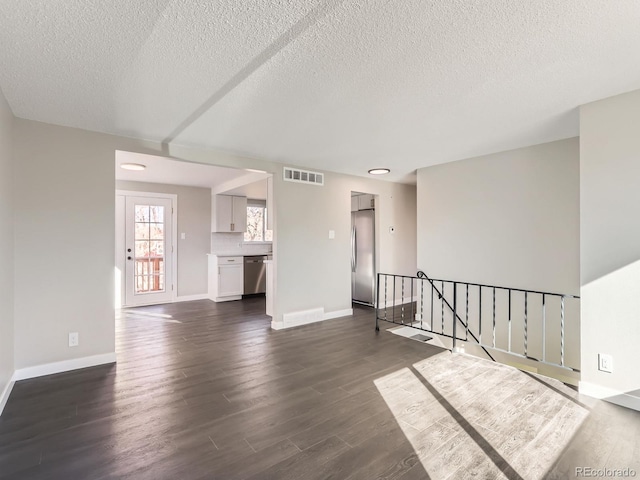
x,y
401,300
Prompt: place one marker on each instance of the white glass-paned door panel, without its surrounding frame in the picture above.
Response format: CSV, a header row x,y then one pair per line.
x,y
148,250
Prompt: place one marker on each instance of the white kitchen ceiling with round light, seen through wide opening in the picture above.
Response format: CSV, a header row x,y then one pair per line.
x,y
164,170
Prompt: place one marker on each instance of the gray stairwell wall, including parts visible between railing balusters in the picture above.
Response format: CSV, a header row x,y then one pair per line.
x,y
509,219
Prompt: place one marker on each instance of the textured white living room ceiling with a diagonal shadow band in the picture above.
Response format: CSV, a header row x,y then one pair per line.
x,y
342,85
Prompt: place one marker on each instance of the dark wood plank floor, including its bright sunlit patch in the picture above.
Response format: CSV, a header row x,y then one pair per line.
x,y
205,390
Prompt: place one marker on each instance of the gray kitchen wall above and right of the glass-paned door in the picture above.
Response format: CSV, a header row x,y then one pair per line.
x,y
194,219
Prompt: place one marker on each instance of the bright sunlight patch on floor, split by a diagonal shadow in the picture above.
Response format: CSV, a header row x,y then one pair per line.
x,y
467,417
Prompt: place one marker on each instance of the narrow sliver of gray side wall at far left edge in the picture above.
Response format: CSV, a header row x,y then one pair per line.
x,y
6,244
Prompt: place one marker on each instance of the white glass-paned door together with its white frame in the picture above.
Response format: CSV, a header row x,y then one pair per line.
x,y
145,256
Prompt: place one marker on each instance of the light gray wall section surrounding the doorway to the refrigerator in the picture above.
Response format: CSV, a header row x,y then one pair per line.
x,y
315,271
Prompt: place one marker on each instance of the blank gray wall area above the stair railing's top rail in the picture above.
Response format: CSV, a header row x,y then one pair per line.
x,y
509,219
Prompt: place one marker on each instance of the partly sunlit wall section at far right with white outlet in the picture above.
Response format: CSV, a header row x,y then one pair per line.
x,y
610,241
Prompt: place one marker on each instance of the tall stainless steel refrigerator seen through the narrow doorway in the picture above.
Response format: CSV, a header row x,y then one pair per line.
x,y
363,256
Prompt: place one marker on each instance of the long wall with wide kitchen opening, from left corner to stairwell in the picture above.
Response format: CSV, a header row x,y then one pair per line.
x,y
64,251
